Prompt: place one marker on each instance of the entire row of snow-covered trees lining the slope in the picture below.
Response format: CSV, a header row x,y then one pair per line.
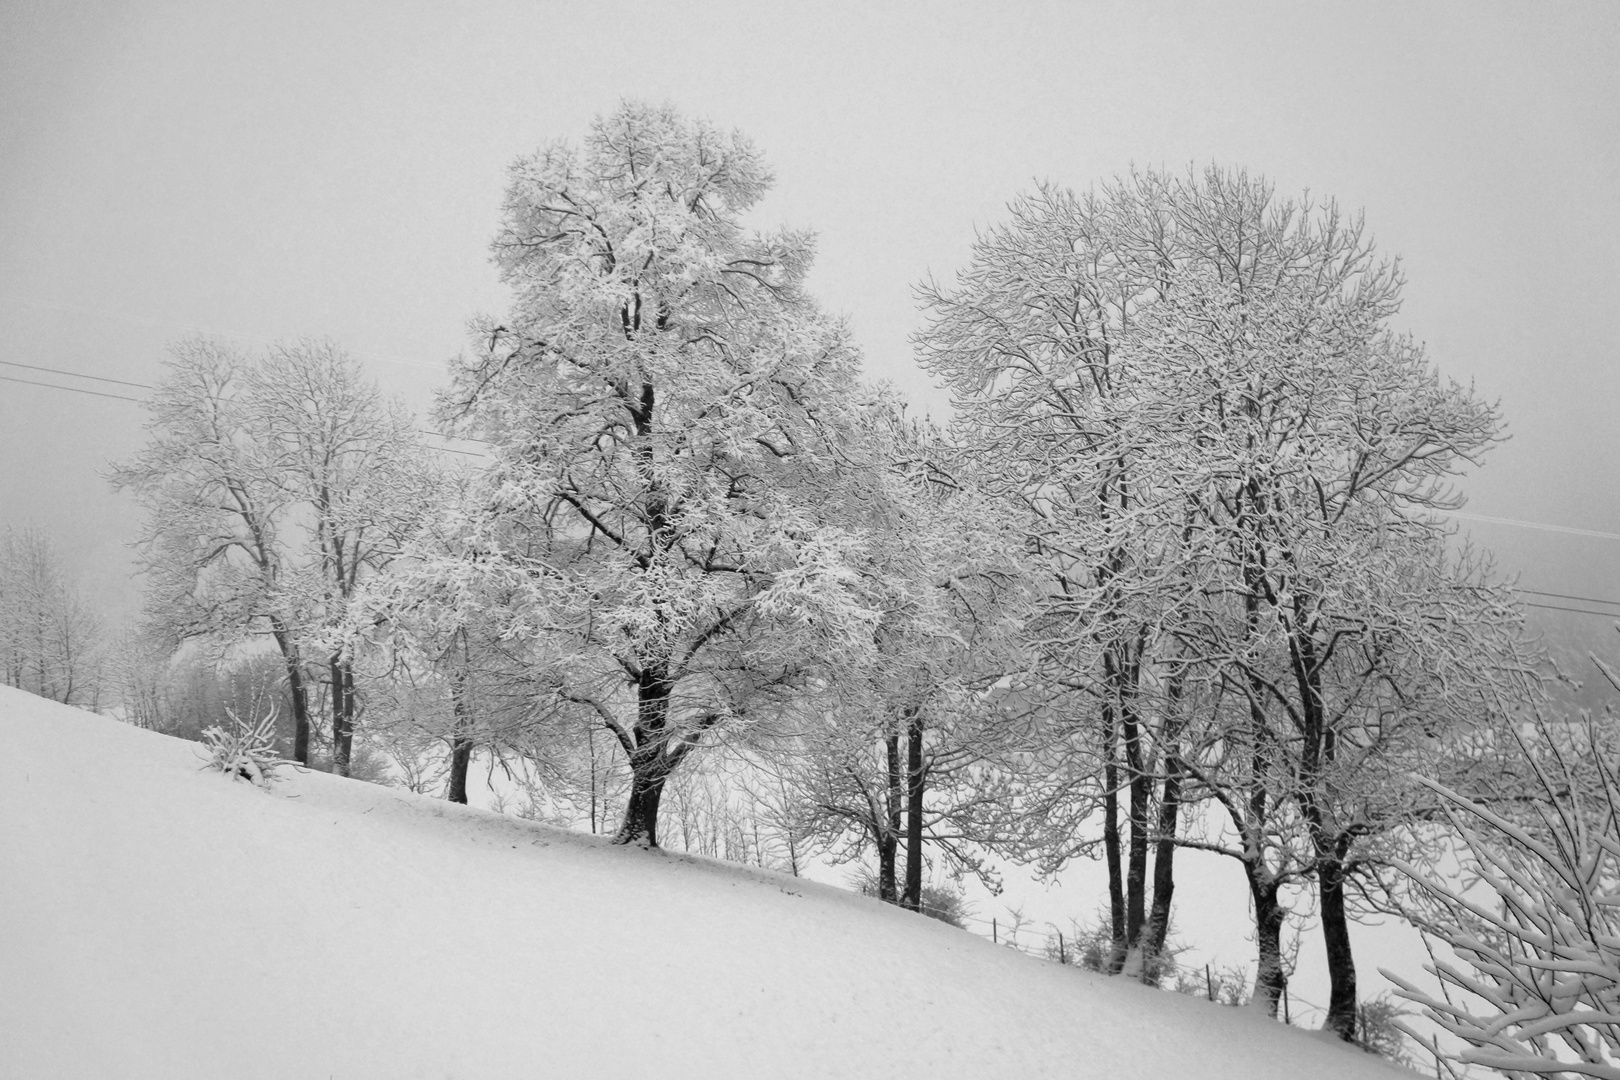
x,y
1174,577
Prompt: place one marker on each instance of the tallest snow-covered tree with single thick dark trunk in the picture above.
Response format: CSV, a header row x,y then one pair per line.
x,y
665,407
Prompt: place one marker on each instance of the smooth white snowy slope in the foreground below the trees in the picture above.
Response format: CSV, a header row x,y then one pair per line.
x,y
161,921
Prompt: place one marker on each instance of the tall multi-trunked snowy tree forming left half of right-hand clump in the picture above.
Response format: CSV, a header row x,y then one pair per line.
x,y
1038,342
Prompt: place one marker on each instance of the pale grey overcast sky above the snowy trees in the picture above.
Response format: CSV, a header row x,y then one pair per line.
x,y
326,169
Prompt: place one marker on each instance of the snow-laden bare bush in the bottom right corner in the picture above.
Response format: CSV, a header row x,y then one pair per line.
x,y
1535,924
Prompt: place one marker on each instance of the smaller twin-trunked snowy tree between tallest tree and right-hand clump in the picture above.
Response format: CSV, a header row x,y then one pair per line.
x,y
906,752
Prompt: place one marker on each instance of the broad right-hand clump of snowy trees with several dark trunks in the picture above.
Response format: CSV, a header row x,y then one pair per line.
x,y
1230,462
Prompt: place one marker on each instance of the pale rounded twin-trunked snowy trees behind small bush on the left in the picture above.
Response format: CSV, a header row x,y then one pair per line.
x,y
273,487
